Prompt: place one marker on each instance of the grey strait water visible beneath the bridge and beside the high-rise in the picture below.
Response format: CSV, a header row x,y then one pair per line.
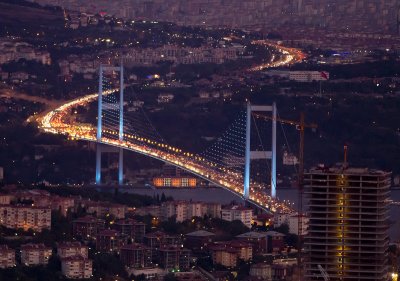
x,y
224,197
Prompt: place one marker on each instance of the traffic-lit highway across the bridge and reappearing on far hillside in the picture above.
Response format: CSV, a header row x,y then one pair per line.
x,y
58,122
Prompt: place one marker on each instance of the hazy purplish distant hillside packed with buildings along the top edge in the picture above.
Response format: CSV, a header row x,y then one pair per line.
x,y
345,15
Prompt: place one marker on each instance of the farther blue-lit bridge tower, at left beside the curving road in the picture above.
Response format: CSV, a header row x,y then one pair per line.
x,y
101,148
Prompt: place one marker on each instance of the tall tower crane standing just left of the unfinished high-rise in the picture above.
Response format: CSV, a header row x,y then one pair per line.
x,y
301,126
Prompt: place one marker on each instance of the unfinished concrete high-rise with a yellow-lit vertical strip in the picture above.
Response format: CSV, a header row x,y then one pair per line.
x,y
348,228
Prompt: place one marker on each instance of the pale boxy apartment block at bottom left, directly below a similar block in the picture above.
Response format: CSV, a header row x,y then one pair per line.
x,y
77,267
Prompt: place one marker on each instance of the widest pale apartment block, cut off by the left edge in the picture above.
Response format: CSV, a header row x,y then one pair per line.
x,y
25,217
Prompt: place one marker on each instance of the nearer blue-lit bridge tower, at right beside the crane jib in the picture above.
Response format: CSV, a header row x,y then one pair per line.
x,y
249,155
